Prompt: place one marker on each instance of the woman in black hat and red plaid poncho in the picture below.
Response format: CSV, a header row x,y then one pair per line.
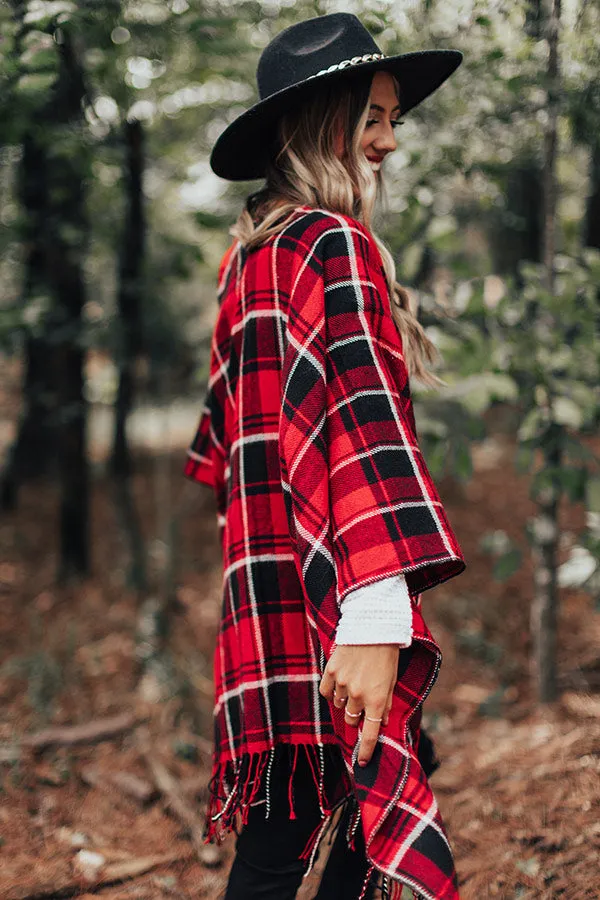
x,y
330,524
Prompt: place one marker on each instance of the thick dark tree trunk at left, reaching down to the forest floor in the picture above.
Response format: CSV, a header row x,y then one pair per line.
x,y
66,240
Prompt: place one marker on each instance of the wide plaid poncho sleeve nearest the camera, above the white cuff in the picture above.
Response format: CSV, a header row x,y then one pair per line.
x,y
361,501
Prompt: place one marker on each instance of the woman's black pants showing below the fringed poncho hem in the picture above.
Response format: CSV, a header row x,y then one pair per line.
x,y
267,864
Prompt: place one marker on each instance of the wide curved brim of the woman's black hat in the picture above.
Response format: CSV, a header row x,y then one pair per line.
x,y
242,150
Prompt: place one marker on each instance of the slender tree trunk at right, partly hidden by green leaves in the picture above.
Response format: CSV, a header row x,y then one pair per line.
x,y
546,530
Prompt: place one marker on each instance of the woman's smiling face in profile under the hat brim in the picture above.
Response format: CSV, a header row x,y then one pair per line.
x,y
378,139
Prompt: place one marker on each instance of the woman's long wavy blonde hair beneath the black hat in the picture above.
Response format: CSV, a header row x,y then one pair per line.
x,y
307,171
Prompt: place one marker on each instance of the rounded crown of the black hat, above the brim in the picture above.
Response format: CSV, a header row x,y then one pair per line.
x,y
309,48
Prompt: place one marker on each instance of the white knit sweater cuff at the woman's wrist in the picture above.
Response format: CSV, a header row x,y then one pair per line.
x,y
378,613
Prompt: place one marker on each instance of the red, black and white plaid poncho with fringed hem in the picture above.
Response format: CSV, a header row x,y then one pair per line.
x,y
308,439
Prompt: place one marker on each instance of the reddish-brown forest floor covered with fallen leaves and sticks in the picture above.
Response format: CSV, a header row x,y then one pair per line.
x,y
104,816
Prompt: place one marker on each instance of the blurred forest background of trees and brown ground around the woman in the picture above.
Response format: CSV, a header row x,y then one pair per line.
x,y
110,572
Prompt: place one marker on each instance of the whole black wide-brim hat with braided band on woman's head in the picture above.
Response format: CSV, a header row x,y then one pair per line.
x,y
303,56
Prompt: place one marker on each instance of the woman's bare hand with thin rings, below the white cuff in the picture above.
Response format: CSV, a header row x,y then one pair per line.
x,y
361,678
